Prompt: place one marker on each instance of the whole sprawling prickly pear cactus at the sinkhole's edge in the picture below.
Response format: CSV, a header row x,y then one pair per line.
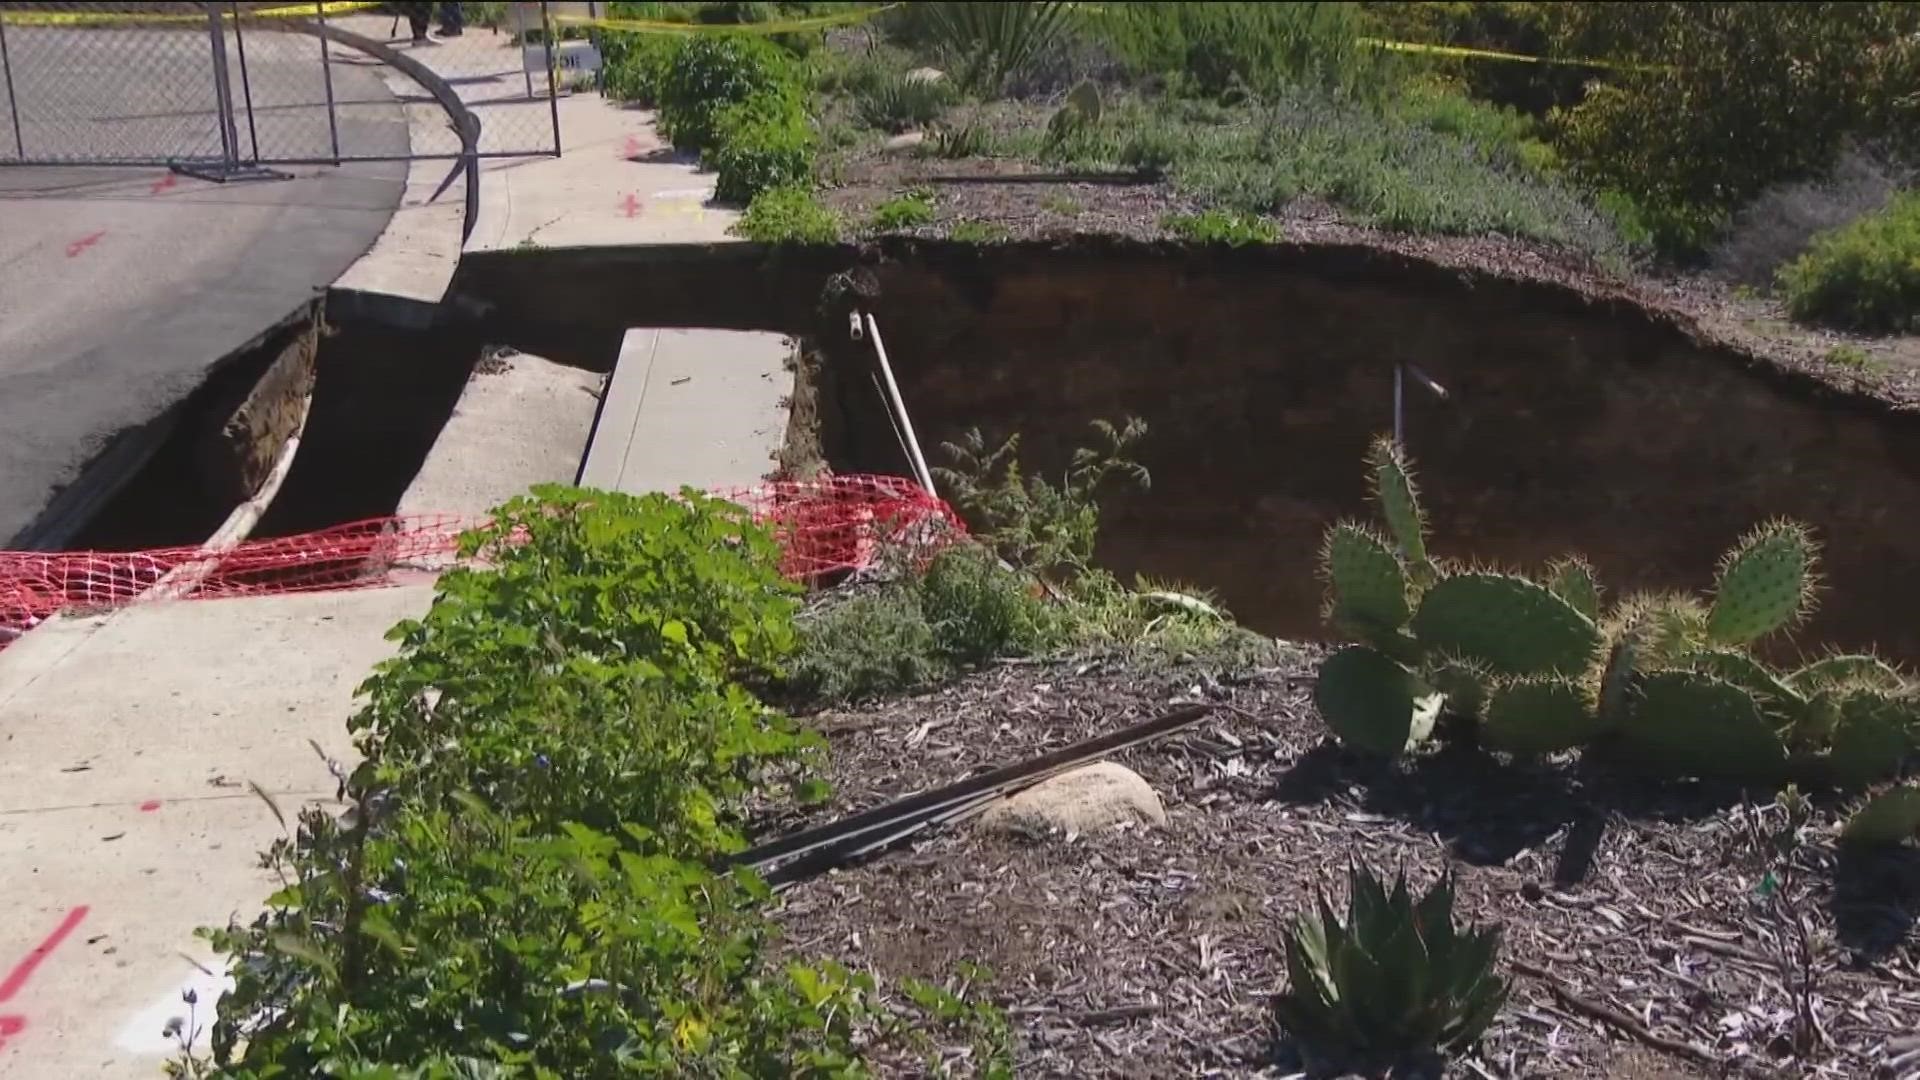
x,y
1541,666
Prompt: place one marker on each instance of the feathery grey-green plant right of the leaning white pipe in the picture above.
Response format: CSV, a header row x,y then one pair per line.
x,y
1028,520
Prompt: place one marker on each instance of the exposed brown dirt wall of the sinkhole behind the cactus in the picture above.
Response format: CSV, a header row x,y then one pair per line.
x,y
1572,424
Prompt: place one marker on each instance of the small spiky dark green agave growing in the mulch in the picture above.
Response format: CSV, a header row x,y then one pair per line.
x,y
1395,981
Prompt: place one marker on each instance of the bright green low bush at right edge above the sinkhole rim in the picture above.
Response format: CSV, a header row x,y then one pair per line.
x,y
1863,276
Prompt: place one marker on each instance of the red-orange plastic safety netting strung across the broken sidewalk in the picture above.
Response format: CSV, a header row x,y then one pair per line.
x,y
825,526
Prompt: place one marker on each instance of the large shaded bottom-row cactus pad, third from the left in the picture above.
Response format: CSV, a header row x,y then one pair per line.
x,y
1696,725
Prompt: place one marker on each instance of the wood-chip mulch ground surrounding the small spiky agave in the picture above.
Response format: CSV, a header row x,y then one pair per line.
x,y
1637,935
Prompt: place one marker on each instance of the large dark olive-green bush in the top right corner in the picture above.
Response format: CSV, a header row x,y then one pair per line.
x,y
1716,103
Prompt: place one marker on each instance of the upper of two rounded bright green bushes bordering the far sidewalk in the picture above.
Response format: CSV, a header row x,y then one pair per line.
x,y
713,72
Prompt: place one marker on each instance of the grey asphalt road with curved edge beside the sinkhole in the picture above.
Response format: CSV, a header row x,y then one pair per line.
x,y
122,289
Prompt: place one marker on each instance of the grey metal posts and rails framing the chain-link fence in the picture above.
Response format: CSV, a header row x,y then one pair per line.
x,y
235,162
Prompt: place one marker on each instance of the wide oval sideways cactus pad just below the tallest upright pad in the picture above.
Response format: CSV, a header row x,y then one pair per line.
x,y
1510,624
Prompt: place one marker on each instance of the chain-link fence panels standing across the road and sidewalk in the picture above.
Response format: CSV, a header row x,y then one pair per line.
x,y
249,86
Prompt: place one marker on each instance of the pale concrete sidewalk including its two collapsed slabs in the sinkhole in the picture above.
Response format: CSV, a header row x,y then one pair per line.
x,y
126,820
